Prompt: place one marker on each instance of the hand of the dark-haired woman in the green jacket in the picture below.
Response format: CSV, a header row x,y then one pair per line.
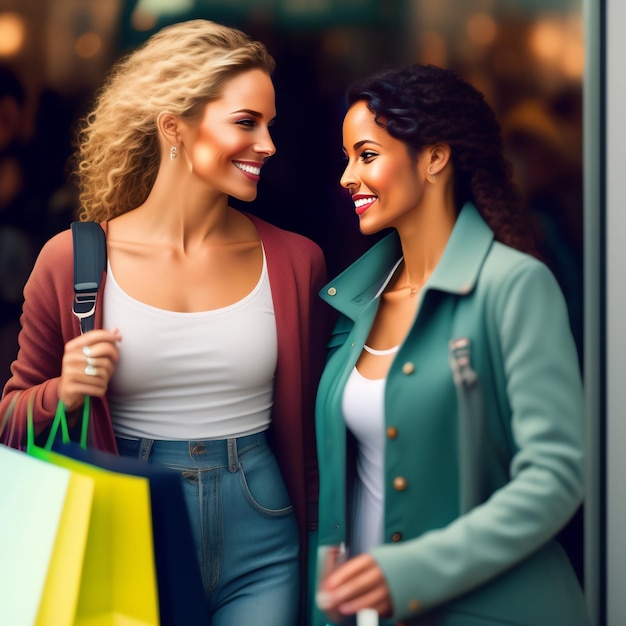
x,y
357,584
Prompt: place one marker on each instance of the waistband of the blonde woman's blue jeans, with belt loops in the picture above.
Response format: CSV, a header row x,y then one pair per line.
x,y
207,450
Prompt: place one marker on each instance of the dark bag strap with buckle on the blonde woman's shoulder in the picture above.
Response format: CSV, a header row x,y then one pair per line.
x,y
90,257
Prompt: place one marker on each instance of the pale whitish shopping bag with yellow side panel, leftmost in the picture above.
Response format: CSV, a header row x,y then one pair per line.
x,y
44,520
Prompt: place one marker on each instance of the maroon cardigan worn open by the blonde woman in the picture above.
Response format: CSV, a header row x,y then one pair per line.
x,y
296,271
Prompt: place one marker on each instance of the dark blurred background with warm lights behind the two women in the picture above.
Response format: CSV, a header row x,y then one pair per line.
x,y
527,56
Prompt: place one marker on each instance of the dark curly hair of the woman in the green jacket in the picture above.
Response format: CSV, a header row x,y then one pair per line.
x,y
422,105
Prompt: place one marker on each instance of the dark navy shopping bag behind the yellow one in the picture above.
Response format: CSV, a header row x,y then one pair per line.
x,y
182,599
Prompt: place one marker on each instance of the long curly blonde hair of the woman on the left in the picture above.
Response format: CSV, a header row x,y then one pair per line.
x,y
179,69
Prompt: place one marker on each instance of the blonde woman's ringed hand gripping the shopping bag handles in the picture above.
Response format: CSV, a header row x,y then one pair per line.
x,y
88,364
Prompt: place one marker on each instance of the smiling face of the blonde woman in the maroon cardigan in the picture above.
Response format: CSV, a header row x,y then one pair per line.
x,y
232,139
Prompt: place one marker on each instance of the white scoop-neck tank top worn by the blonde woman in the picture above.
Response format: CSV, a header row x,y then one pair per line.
x,y
206,375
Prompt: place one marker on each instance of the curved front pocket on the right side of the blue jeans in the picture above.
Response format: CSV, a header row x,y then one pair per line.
x,y
262,483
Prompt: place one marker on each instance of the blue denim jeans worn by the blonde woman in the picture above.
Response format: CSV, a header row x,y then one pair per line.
x,y
243,524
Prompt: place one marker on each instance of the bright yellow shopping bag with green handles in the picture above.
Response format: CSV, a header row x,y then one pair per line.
x,y
118,581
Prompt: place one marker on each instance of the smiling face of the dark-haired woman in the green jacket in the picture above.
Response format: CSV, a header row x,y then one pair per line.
x,y
382,176
